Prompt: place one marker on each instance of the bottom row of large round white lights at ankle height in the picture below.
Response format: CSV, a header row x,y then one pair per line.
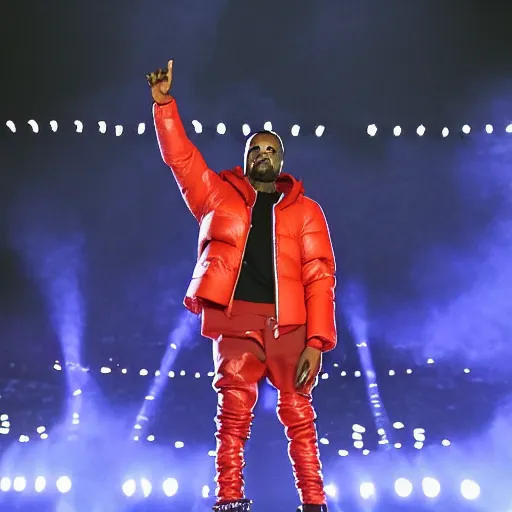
x,y
404,488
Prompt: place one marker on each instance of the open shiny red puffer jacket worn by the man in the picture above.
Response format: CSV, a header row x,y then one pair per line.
x,y
222,203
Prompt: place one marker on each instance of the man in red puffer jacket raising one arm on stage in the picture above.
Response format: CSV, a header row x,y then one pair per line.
x,y
264,284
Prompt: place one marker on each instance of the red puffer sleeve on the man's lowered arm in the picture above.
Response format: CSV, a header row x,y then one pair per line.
x,y
318,276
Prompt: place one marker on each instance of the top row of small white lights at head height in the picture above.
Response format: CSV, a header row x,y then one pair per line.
x,y
221,128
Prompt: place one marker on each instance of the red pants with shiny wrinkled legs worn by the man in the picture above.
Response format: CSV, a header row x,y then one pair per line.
x,y
246,348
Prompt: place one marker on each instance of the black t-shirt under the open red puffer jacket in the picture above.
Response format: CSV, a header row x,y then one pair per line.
x,y
256,281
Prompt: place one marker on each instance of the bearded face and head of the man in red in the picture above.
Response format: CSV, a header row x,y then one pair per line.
x,y
264,158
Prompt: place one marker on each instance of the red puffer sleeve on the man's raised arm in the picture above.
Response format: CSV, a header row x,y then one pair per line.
x,y
195,180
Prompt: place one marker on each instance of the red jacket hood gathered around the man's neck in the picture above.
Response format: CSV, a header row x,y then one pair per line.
x,y
286,184
